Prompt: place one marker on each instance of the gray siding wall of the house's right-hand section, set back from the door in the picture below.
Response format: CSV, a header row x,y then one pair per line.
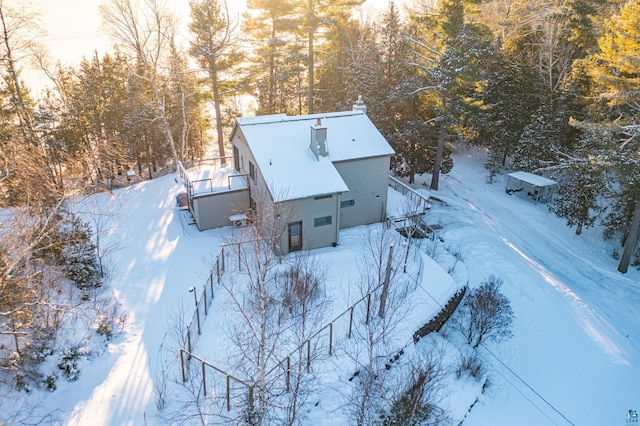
x,y
367,180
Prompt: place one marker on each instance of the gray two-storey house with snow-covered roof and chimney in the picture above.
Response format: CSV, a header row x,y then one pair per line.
x,y
324,172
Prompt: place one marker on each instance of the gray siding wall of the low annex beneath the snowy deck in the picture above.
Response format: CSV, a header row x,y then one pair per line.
x,y
213,211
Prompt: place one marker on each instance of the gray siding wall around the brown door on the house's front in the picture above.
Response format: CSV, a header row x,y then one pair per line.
x,y
305,211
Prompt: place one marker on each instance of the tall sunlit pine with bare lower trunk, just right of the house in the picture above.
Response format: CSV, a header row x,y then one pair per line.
x,y
452,57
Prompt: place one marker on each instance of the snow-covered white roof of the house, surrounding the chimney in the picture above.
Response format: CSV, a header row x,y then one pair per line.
x,y
280,145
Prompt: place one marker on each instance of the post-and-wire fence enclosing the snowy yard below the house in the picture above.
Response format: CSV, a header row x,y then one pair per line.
x,y
236,393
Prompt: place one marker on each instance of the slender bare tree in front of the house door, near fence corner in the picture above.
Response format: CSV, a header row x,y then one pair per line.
x,y
256,299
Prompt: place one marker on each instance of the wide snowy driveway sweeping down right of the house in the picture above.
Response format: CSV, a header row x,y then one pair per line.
x,y
576,336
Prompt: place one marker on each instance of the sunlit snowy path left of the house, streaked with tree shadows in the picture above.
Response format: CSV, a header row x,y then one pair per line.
x,y
160,259
